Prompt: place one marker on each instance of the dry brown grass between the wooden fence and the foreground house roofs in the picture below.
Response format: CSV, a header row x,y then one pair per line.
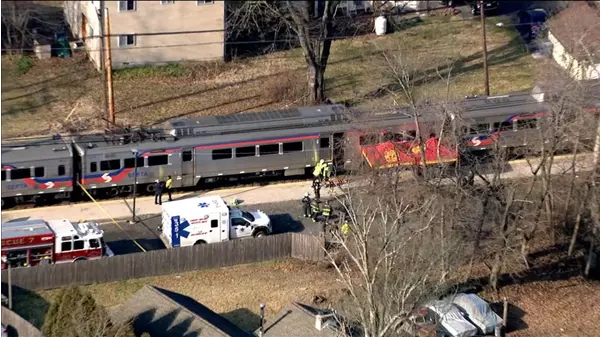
x,y
224,290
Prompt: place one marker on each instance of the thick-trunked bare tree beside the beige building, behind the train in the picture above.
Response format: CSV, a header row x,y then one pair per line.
x,y
298,19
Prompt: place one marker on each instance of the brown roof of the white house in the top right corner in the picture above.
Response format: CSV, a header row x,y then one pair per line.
x,y
578,29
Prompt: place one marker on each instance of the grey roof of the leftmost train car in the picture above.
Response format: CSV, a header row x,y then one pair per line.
x,y
25,151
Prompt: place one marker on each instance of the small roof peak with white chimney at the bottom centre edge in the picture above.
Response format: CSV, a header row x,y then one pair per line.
x,y
298,320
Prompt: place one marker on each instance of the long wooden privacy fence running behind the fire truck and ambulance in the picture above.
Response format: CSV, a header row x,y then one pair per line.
x,y
169,261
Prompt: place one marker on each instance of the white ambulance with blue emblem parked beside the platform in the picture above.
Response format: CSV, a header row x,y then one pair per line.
x,y
203,220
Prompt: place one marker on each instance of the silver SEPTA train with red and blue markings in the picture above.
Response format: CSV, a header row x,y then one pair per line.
x,y
212,149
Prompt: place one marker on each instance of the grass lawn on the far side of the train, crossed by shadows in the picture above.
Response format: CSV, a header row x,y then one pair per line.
x,y
66,94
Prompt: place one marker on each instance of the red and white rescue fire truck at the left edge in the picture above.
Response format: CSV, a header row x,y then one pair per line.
x,y
35,242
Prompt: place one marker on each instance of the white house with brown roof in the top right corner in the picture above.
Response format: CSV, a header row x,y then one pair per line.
x,y
575,36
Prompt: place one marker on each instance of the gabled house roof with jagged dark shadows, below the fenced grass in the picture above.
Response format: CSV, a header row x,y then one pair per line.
x,y
164,313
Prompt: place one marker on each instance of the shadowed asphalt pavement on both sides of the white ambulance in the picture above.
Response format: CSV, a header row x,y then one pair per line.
x,y
285,217
